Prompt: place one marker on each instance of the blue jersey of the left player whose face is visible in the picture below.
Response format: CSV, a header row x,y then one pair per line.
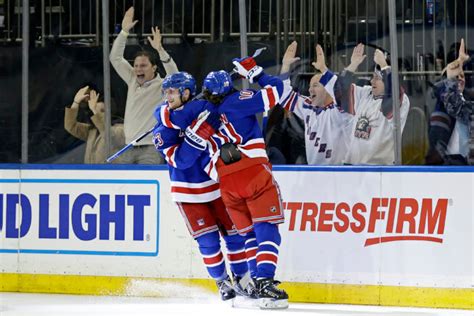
x,y
189,182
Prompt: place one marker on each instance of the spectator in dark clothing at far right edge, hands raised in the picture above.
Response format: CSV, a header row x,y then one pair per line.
x,y
449,123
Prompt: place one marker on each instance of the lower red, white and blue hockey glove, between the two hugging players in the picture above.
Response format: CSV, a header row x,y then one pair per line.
x,y
202,129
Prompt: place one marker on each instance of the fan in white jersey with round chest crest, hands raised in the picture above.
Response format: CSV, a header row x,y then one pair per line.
x,y
372,130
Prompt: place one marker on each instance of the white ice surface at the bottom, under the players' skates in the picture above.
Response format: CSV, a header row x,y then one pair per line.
x,y
15,304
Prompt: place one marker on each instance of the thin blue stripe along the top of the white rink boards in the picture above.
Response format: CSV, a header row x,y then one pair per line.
x,y
431,169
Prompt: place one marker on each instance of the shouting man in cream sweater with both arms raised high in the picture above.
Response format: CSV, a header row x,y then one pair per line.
x,y
144,90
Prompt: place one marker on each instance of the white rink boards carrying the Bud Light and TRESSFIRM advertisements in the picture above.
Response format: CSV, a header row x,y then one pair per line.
x,y
367,227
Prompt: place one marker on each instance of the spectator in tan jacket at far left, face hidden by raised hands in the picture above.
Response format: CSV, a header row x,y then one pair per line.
x,y
92,133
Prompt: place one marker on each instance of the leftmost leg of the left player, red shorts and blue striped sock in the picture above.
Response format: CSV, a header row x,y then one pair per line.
x,y
203,227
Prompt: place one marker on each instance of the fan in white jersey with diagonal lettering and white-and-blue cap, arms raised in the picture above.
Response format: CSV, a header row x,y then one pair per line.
x,y
327,127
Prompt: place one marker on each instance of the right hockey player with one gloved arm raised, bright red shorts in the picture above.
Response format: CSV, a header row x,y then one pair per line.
x,y
240,162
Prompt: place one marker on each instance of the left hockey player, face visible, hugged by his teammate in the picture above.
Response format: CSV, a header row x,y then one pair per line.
x,y
197,196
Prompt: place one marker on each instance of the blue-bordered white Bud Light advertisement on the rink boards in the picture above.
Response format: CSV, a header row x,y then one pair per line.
x,y
79,216
